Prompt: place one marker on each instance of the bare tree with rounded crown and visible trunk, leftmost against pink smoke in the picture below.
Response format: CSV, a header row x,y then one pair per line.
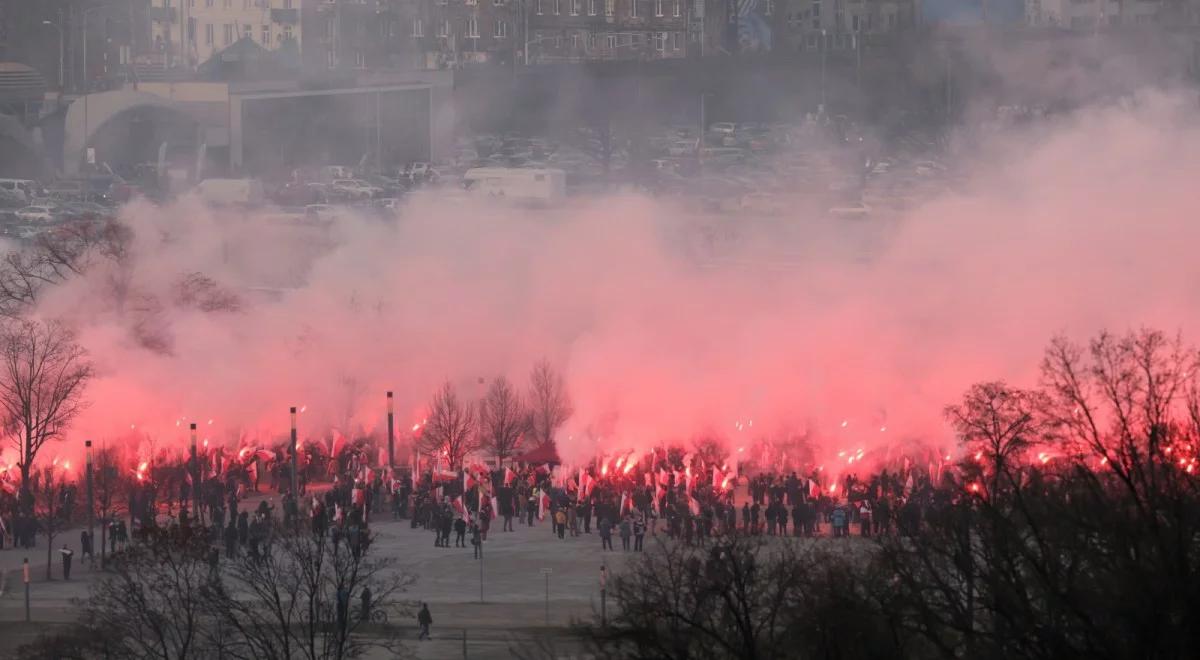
x,y
44,374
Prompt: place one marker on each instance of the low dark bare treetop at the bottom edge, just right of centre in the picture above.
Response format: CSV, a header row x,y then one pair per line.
x,y
743,598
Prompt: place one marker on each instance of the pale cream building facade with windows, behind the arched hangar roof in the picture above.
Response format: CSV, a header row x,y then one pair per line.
x,y
205,28
